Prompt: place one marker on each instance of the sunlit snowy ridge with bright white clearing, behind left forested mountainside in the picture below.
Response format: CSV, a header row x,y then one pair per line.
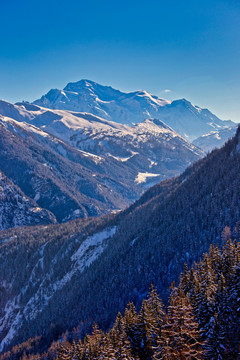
x,y
146,152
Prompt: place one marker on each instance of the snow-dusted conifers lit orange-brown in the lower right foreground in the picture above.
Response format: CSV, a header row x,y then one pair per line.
x,y
202,320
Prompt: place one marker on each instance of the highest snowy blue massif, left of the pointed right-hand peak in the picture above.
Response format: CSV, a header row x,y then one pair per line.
x,y
103,101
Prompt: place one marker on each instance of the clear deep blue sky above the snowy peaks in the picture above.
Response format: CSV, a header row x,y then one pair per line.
x,y
172,48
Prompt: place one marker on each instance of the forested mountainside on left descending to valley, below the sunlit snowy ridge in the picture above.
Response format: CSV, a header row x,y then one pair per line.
x,y
67,182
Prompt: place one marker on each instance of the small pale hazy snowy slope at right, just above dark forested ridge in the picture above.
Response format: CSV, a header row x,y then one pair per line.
x,y
214,139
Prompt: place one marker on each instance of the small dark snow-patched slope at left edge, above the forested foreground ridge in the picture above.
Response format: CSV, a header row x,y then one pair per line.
x,y
16,209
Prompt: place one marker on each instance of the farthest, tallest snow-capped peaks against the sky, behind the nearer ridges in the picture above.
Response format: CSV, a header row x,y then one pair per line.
x,y
130,108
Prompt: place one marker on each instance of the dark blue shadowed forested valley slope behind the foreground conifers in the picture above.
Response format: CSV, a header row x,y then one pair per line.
x,y
87,270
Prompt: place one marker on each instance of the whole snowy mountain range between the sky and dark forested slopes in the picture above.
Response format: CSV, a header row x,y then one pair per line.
x,y
78,164
